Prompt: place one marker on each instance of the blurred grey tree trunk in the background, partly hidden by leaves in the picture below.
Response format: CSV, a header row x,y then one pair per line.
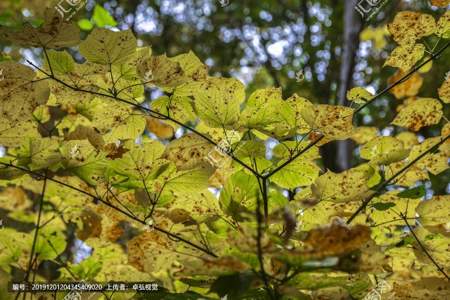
x,y
351,30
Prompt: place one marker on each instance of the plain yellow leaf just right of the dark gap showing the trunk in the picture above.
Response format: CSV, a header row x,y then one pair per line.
x,y
384,150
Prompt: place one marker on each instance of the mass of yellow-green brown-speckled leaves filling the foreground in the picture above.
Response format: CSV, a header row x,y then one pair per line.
x,y
209,188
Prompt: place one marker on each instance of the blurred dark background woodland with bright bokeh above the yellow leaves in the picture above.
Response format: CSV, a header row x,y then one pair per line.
x,y
265,43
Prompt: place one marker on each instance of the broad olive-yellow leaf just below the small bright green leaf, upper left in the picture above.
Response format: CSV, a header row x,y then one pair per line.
x,y
107,47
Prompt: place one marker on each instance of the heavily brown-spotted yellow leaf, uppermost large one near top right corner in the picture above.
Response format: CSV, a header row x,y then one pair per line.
x,y
408,26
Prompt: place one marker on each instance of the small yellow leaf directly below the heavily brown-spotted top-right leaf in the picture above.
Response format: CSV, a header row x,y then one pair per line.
x,y
405,56
